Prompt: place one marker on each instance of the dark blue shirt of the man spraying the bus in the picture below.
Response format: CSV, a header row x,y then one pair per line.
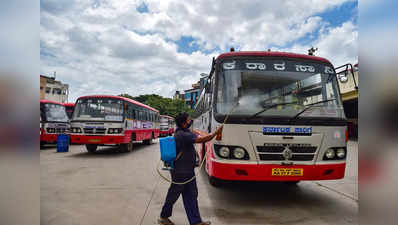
x,y
185,140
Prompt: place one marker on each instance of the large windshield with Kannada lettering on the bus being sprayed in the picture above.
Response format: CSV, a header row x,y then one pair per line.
x,y
277,89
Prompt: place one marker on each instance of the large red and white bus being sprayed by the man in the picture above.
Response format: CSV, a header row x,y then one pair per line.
x,y
284,118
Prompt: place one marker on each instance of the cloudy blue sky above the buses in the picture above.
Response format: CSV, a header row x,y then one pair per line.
x,y
153,46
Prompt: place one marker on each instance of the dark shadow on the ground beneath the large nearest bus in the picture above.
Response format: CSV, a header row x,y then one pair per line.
x,y
275,202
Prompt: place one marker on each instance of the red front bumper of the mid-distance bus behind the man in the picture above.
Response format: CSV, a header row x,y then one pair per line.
x,y
95,139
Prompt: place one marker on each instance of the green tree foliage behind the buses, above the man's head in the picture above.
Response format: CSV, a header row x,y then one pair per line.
x,y
166,106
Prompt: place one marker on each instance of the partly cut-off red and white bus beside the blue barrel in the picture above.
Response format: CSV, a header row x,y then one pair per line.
x,y
53,121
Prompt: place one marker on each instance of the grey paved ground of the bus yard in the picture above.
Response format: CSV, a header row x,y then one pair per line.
x,y
111,187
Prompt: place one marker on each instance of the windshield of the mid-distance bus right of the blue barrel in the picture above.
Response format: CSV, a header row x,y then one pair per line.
x,y
98,109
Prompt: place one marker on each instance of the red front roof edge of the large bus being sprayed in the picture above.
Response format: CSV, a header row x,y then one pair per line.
x,y
272,54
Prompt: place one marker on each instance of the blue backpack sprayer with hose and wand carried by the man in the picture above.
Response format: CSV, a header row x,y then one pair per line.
x,y
168,154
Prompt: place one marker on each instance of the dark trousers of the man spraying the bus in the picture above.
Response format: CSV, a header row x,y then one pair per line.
x,y
189,193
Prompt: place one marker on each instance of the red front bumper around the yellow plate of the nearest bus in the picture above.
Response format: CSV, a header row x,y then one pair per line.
x,y
263,172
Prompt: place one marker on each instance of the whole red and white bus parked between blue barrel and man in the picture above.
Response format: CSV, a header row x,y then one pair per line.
x,y
112,120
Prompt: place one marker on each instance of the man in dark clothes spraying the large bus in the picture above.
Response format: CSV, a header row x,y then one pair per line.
x,y
183,171
